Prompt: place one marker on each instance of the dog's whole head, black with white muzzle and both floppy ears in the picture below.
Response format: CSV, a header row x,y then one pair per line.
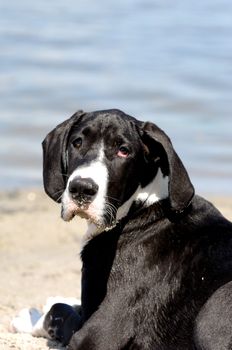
x,y
99,163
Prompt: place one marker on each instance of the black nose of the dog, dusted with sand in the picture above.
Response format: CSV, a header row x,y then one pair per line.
x,y
83,189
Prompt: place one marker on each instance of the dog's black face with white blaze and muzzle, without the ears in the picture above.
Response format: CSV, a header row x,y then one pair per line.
x,y
106,161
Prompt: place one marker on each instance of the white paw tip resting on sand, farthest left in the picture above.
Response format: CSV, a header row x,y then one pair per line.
x,y
25,321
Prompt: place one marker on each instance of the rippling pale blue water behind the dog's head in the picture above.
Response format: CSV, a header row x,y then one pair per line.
x,y
161,60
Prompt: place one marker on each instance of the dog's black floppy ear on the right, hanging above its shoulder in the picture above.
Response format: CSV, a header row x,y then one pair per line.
x,y
161,151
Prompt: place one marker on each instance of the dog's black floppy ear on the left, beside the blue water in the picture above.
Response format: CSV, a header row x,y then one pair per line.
x,y
55,157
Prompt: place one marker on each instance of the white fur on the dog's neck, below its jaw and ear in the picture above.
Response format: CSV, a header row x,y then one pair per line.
x,y
144,197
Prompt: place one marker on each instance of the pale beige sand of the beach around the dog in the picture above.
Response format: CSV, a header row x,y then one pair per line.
x,y
39,257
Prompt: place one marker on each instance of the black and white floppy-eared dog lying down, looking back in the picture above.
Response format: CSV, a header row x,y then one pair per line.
x,y
157,259
